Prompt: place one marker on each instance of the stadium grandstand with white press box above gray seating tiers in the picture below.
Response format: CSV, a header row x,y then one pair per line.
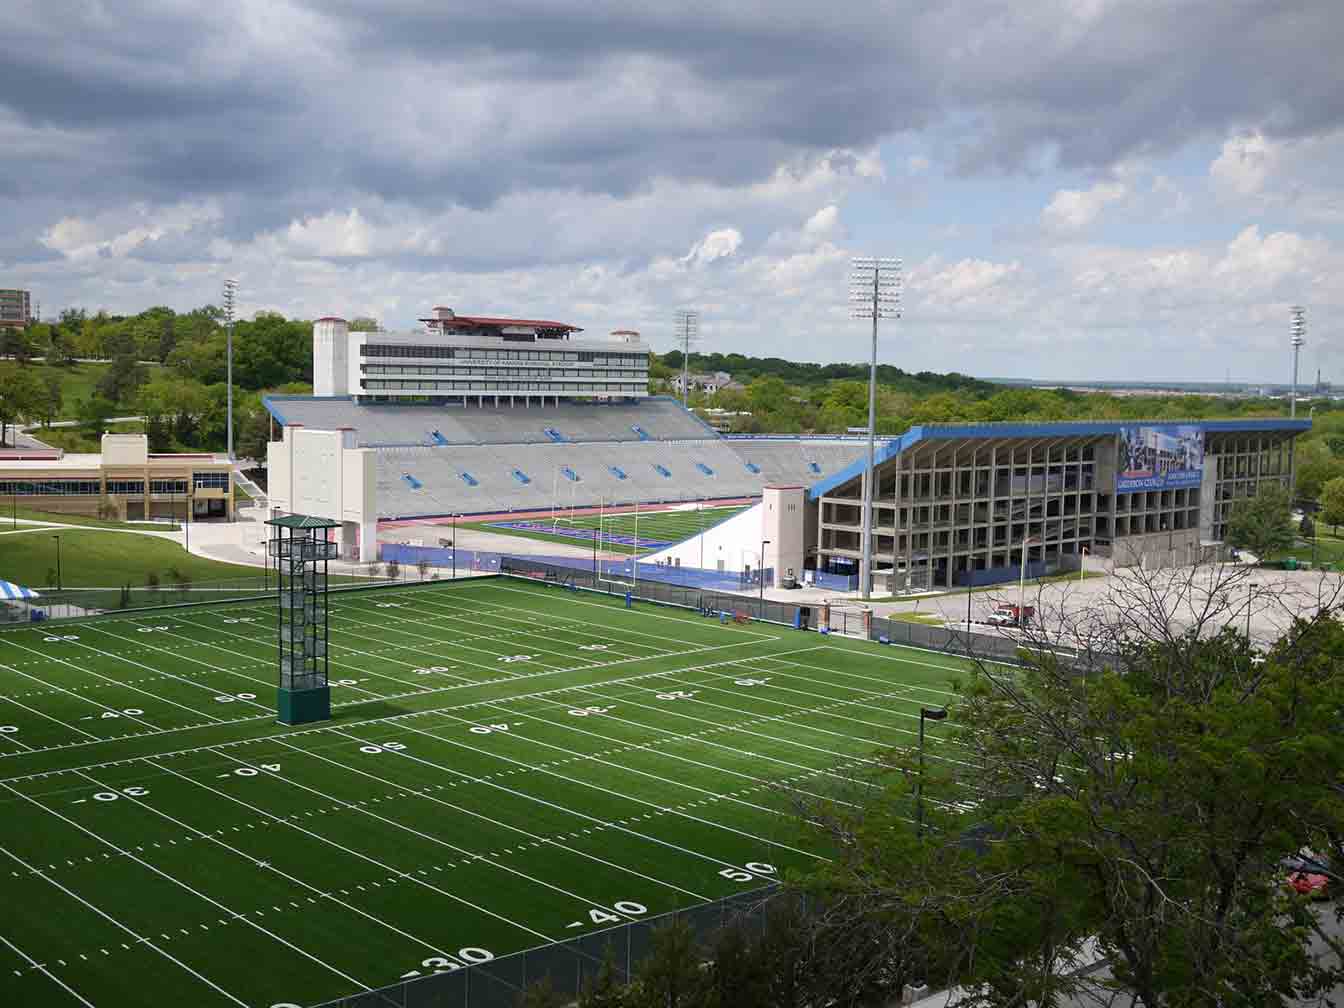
x,y
564,433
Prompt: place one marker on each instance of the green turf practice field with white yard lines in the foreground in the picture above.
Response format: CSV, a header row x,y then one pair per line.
x,y
509,765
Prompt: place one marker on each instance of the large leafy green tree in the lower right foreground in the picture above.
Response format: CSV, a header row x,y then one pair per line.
x,y
1132,804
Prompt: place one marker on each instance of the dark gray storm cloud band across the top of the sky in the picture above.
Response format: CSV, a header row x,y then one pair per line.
x,y
436,104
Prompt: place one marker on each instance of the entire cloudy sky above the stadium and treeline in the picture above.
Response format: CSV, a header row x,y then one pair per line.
x,y
1080,189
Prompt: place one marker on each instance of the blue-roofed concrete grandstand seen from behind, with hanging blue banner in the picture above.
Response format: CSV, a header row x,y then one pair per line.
x,y
955,503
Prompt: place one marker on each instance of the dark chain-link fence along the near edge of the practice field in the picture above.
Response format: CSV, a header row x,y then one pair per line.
x,y
571,966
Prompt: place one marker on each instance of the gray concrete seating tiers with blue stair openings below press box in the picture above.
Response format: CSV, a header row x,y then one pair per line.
x,y
424,452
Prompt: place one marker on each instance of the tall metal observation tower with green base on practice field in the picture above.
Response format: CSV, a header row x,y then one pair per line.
x,y
302,549
